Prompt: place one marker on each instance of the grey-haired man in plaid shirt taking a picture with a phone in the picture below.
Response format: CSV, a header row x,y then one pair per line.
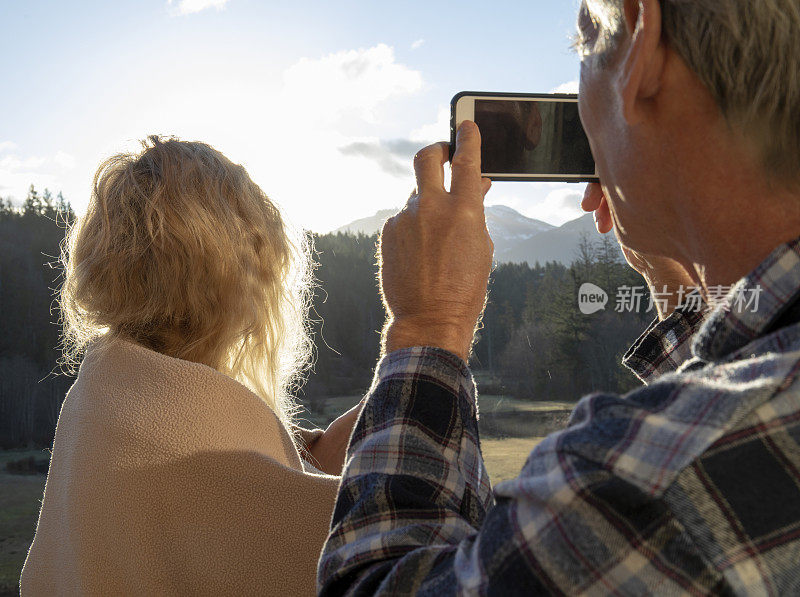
x,y
689,484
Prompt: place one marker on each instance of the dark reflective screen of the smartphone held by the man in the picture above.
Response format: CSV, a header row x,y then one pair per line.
x,y
532,137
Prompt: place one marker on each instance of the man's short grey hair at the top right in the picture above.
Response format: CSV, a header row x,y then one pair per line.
x,y
746,52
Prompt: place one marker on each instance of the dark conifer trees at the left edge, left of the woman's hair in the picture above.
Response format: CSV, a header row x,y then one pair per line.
x,y
30,391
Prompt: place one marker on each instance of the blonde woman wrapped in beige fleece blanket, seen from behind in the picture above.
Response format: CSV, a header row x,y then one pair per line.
x,y
177,467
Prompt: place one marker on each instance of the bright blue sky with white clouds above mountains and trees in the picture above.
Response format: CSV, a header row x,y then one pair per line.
x,y
324,103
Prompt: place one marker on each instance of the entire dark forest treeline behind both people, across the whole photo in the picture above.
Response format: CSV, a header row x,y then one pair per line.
x,y
534,342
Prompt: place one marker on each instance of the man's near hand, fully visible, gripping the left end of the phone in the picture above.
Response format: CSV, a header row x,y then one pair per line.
x,y
436,254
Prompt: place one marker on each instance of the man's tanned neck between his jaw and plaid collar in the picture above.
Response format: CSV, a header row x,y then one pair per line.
x,y
730,214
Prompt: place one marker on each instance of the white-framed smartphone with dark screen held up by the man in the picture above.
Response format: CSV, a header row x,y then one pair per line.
x,y
537,137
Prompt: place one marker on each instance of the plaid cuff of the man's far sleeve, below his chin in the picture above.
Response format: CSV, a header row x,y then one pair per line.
x,y
664,345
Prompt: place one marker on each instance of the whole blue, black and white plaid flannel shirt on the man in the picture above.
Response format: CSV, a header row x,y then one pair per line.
x,y
687,485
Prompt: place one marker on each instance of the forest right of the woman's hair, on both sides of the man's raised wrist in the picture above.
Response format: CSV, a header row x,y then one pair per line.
x,y
534,343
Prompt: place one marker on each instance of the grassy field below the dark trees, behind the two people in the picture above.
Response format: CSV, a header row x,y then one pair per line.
x,y
509,431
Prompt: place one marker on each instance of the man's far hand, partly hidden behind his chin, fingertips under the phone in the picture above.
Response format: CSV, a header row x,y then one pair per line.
x,y
664,275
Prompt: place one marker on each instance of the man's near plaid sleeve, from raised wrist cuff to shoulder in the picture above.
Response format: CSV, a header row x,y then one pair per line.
x,y
415,513
